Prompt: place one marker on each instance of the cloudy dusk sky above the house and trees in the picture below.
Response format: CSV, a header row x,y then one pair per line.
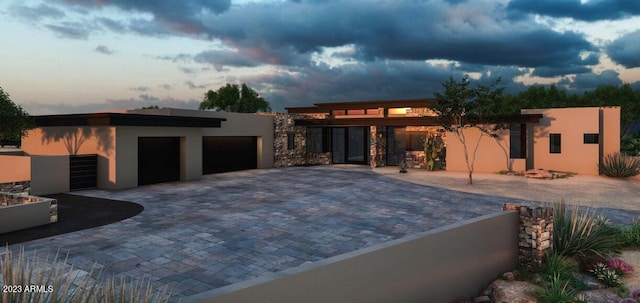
x,y
69,56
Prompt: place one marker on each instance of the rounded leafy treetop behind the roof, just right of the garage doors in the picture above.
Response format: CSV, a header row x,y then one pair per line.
x,y
232,98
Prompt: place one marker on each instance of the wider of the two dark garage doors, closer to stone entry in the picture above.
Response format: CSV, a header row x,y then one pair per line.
x,y
221,154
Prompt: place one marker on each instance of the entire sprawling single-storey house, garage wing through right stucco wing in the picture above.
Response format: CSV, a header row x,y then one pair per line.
x,y
123,149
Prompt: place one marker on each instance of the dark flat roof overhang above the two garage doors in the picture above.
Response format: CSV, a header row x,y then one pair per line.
x,y
119,119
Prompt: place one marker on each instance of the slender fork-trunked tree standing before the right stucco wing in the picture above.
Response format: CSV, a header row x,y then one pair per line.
x,y
460,107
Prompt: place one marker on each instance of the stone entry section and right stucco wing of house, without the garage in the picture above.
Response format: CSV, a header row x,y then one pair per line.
x,y
382,133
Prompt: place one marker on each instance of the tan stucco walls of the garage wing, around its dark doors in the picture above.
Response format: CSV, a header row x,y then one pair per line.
x,y
117,146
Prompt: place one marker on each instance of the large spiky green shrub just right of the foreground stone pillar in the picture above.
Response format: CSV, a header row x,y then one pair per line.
x,y
583,235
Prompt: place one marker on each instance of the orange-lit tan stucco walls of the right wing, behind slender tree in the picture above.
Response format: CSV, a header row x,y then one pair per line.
x,y
569,125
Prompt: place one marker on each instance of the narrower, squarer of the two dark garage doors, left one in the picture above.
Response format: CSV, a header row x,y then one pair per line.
x,y
158,159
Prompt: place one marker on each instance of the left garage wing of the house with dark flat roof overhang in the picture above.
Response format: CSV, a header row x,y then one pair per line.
x,y
139,147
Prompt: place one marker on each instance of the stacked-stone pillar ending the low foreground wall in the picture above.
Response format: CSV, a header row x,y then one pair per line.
x,y
535,233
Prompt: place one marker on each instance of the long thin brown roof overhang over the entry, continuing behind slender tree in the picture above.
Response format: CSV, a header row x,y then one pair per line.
x,y
409,121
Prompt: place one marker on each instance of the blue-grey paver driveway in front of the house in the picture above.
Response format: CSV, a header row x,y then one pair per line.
x,y
201,235
